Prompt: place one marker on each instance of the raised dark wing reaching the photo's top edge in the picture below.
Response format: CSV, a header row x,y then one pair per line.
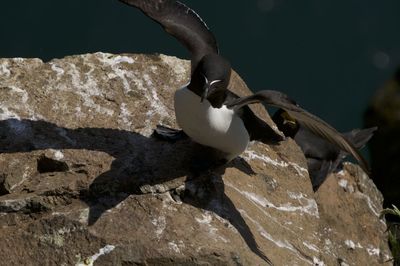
x,y
181,22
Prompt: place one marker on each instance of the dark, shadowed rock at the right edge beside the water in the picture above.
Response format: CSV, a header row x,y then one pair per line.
x,y
384,112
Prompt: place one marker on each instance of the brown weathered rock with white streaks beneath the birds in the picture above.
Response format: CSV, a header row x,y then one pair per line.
x,y
82,180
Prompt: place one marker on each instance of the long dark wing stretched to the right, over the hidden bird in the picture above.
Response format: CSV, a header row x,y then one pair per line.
x,y
308,120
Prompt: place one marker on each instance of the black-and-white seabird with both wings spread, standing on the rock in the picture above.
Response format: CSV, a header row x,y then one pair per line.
x,y
205,109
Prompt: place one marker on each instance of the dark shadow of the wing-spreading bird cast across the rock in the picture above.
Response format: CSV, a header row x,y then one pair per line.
x,y
141,165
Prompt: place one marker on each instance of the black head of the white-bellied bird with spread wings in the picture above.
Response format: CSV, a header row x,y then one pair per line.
x,y
211,78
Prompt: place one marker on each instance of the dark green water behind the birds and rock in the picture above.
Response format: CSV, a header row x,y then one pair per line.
x,y
328,55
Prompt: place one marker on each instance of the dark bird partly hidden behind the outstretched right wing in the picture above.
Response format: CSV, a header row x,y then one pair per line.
x,y
322,156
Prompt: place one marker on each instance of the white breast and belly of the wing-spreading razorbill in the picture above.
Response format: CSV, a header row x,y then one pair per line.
x,y
220,128
